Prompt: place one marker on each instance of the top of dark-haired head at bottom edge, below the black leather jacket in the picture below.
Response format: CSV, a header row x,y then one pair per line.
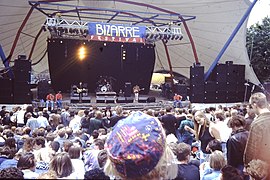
x,y
230,173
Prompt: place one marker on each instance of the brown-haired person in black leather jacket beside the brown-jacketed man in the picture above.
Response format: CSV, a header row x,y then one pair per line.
x,y
237,142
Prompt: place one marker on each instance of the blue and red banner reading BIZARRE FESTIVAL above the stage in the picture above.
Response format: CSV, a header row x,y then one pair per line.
x,y
116,33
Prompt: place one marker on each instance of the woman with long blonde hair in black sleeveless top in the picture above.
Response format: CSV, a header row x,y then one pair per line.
x,y
205,131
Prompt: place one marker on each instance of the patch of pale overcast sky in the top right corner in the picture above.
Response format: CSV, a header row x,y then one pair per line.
x,y
259,11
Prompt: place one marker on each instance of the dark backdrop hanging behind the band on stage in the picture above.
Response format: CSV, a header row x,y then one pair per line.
x,y
67,69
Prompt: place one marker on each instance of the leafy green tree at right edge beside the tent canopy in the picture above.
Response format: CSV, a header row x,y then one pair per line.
x,y
258,47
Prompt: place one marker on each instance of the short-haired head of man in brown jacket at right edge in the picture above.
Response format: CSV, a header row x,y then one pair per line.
x,y
258,101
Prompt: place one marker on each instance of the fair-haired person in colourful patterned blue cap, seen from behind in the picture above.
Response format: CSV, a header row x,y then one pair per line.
x,y
126,160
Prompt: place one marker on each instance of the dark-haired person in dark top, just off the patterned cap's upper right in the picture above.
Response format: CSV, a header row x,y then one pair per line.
x,y
169,121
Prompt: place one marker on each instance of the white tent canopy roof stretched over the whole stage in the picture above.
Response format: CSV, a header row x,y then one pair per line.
x,y
214,23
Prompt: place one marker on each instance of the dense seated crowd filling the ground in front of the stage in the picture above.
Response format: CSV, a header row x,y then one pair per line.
x,y
169,143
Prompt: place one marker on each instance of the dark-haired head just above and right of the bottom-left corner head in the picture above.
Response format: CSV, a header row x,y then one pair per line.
x,y
27,161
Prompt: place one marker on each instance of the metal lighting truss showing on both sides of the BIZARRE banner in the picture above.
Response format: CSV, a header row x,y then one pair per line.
x,y
59,27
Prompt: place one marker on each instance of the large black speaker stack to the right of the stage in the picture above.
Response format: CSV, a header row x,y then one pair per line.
x,y
225,84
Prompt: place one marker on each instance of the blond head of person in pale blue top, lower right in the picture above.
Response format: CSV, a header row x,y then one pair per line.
x,y
217,160
